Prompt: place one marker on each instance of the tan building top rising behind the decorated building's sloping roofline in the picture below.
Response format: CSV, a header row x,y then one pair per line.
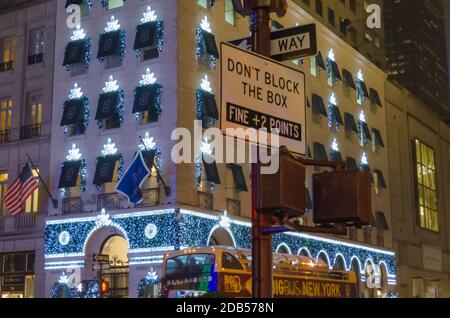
x,y
348,19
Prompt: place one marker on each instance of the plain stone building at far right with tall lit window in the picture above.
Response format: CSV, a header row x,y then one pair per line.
x,y
418,143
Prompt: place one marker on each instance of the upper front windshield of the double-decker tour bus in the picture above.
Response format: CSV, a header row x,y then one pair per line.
x,y
190,265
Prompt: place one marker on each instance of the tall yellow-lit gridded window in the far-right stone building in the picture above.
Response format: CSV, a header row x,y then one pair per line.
x,y
426,190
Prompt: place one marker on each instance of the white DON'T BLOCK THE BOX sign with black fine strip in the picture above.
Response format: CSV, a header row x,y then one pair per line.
x,y
260,93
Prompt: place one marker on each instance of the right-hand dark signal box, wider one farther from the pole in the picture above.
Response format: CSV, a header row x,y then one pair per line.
x,y
342,197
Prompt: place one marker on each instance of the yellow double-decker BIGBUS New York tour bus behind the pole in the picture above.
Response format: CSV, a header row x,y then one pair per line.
x,y
226,271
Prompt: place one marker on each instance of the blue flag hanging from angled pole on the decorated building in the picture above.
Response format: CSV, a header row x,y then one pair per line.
x,y
131,183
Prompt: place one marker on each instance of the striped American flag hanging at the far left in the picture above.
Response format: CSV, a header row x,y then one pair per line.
x,y
20,191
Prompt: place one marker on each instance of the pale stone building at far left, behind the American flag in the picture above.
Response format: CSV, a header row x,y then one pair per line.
x,y
27,35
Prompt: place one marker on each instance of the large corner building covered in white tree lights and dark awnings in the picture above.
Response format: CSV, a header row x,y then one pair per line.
x,y
93,143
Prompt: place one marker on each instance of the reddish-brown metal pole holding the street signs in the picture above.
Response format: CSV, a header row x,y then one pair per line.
x,y
261,243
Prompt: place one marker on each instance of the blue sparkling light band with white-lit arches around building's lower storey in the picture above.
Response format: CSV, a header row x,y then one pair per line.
x,y
180,229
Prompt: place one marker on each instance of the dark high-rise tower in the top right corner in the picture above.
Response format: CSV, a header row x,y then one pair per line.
x,y
416,50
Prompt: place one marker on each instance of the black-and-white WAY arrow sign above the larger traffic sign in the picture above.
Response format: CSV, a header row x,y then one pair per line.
x,y
288,44
